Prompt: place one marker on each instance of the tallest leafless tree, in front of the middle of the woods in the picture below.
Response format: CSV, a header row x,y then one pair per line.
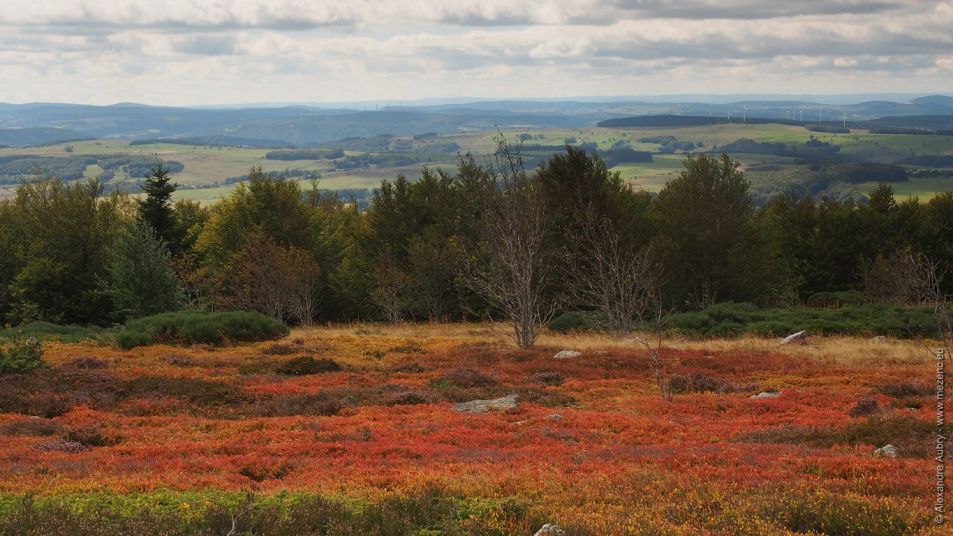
x,y
512,268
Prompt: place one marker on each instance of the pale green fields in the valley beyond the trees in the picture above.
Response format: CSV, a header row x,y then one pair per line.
x,y
206,168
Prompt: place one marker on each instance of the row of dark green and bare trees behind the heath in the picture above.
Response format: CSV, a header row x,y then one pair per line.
x,y
491,239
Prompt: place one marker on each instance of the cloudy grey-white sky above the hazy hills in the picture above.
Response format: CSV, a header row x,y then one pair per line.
x,y
194,52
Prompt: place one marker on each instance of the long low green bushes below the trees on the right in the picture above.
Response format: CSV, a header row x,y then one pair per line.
x,y
737,319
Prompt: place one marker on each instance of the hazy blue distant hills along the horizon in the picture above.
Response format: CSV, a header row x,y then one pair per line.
x,y
310,126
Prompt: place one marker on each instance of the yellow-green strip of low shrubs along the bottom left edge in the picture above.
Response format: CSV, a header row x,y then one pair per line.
x,y
210,512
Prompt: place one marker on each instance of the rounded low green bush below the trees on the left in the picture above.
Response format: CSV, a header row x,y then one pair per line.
x,y
196,327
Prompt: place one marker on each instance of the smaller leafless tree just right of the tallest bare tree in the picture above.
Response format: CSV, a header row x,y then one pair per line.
x,y
612,275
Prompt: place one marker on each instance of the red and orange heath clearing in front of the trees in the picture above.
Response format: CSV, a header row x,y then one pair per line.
x,y
362,438
